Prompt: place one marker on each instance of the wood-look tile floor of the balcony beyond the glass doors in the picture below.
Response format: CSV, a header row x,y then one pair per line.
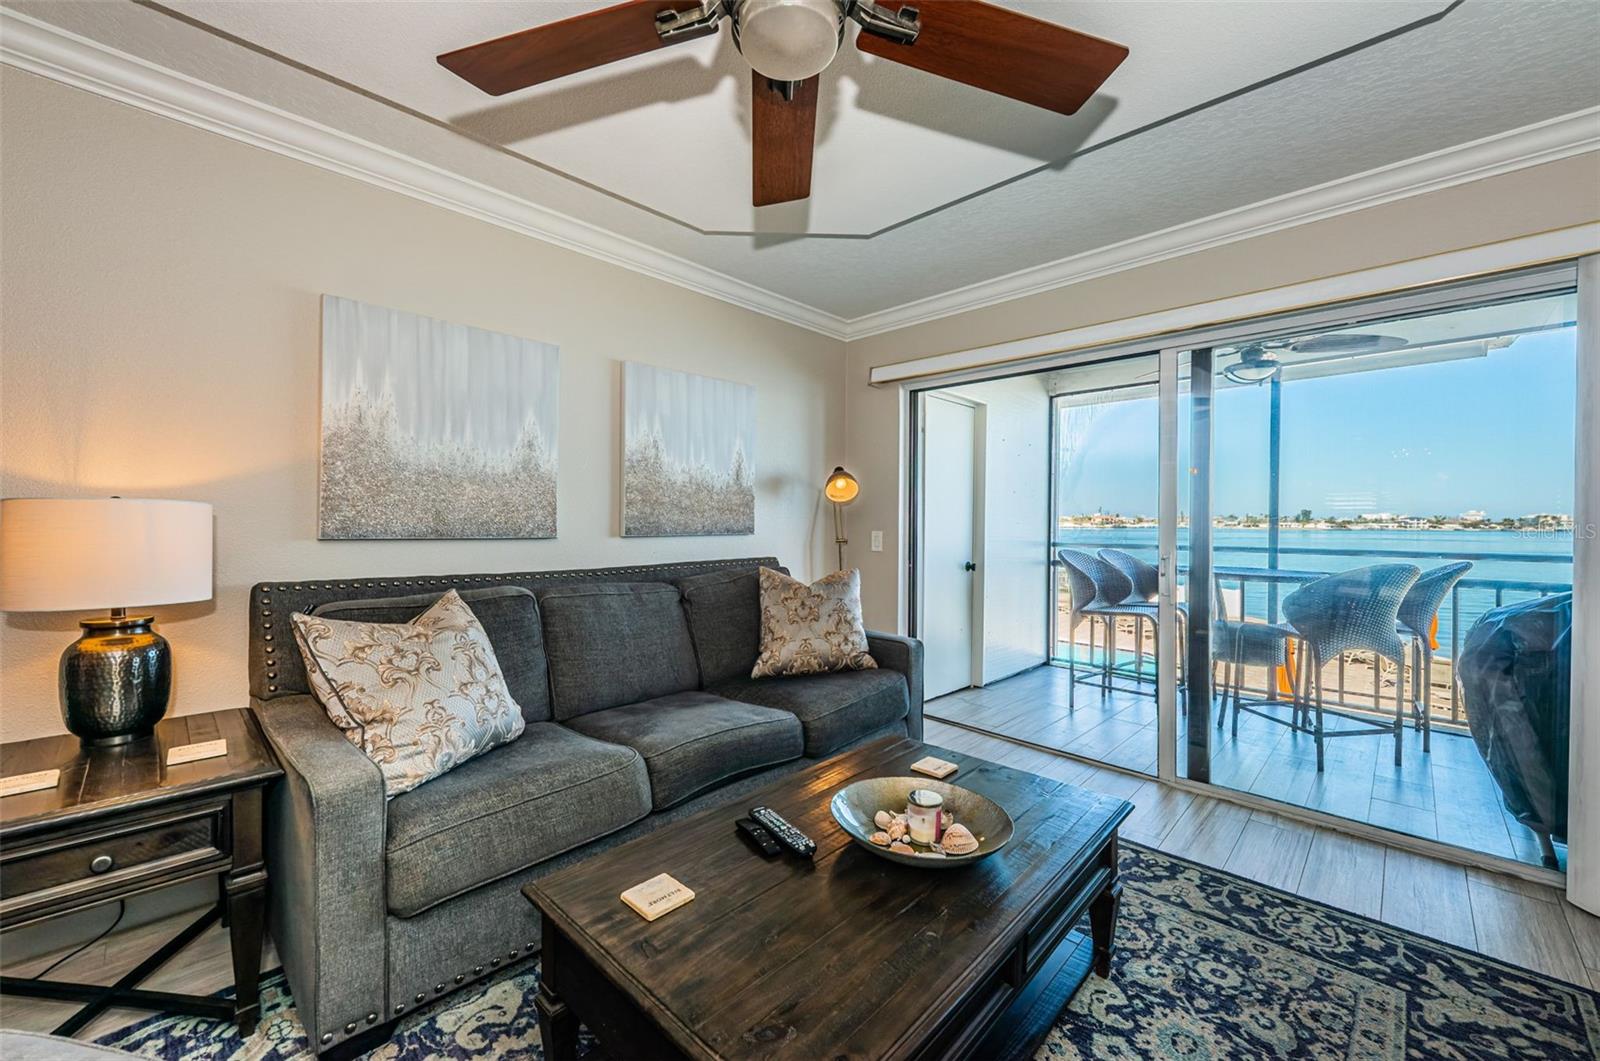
x,y
1446,795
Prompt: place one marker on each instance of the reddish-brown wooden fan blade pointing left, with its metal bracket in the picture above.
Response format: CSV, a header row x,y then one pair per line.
x,y
578,44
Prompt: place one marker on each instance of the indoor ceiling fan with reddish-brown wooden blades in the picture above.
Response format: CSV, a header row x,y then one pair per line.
x,y
791,42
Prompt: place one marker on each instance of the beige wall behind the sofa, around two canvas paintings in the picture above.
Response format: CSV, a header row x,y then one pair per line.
x,y
159,337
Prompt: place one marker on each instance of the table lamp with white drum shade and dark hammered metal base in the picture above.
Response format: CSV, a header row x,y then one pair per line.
x,y
108,553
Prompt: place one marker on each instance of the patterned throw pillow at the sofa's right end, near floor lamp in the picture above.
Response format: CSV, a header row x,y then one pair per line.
x,y
812,630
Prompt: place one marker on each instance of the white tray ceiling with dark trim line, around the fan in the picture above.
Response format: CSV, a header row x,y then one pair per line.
x,y
1441,97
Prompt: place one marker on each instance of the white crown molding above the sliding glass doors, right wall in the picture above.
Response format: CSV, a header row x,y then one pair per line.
x,y
1518,150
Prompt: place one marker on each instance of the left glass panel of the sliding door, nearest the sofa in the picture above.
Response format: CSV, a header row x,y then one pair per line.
x,y
1038,558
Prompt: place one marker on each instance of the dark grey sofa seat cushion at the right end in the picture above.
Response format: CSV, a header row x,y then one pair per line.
x,y
834,710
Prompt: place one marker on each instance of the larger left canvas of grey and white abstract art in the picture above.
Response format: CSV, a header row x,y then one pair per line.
x,y
433,430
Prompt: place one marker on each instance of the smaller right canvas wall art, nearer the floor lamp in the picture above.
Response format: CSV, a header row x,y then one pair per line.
x,y
689,454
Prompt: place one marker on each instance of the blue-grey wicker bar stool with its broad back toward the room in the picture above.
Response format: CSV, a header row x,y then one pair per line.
x,y
1351,612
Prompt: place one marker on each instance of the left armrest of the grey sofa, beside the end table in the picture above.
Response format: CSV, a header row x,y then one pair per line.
x,y
326,870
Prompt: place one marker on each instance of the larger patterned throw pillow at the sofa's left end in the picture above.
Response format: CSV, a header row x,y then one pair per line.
x,y
420,699
